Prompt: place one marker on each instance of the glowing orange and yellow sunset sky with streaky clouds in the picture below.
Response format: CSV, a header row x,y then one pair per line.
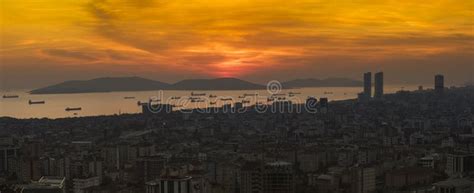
x,y
49,41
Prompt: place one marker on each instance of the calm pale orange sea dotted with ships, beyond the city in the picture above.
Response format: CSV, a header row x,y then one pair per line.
x,y
115,103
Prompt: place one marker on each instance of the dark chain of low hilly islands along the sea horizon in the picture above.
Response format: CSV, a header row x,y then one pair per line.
x,y
116,84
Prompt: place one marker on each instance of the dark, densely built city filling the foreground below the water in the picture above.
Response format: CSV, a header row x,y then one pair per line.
x,y
411,141
